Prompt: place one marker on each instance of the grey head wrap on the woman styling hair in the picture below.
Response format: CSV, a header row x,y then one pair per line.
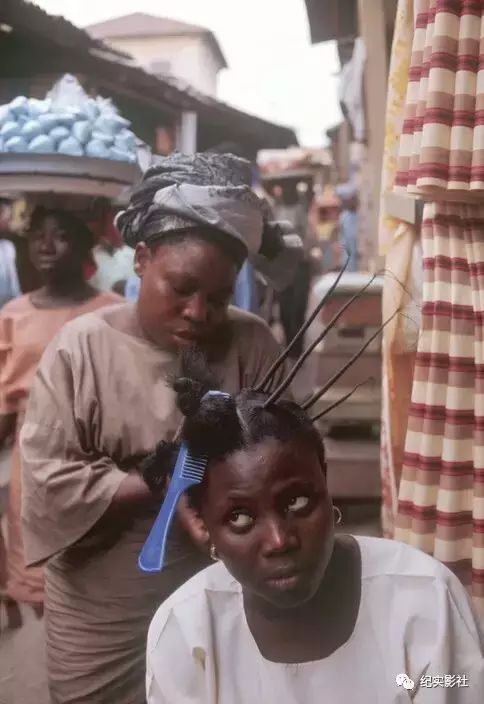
x,y
213,191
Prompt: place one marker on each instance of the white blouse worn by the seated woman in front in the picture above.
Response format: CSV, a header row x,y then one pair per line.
x,y
414,618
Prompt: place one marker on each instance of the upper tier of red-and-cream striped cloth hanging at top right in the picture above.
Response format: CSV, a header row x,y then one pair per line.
x,y
441,151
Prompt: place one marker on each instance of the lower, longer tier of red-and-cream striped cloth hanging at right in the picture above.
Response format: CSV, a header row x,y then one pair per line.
x,y
441,500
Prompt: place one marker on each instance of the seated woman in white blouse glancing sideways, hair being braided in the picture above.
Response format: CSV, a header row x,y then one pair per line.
x,y
292,612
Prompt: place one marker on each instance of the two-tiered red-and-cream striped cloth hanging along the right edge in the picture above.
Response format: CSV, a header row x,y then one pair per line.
x,y
441,159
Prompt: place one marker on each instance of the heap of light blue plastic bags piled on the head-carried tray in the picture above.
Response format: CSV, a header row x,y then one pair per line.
x,y
68,122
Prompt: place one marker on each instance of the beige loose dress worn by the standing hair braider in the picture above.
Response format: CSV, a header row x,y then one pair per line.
x,y
100,403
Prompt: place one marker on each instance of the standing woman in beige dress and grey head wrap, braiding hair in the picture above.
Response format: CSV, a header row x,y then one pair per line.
x,y
102,401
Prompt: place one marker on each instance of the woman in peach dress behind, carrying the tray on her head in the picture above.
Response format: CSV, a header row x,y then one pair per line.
x,y
60,244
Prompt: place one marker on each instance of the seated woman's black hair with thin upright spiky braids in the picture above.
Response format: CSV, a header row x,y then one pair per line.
x,y
216,426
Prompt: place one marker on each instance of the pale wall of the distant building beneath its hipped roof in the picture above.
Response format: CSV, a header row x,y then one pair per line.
x,y
189,58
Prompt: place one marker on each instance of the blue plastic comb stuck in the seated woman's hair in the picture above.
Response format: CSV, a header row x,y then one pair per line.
x,y
188,472
